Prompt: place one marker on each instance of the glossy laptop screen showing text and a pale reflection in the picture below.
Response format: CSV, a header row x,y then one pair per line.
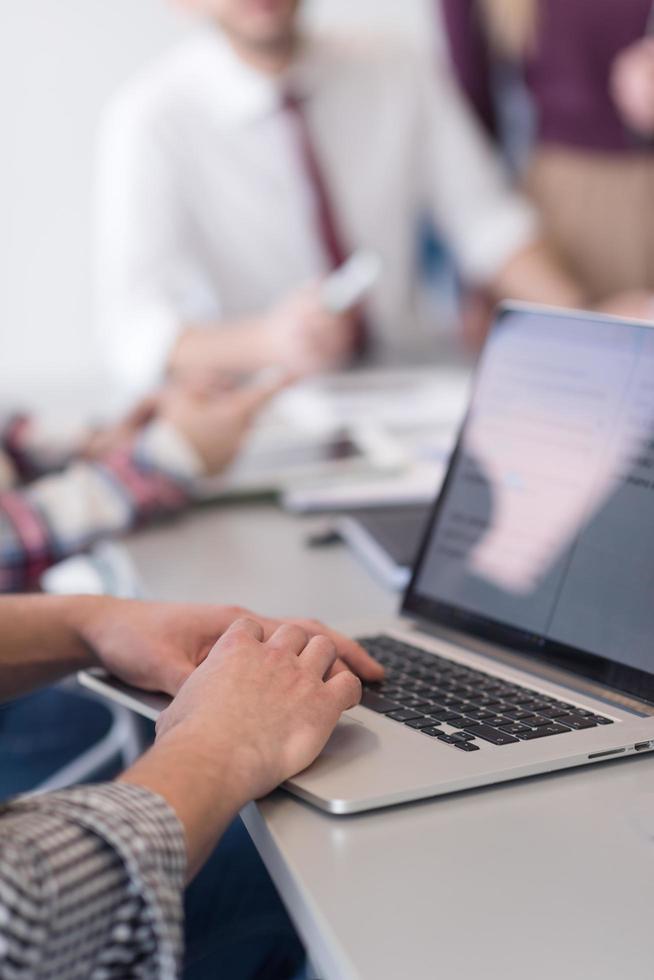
x,y
543,535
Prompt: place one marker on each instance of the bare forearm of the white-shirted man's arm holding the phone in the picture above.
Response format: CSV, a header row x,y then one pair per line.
x,y
229,347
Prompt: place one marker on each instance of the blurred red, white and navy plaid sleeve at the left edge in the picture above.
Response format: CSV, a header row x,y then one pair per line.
x,y
64,513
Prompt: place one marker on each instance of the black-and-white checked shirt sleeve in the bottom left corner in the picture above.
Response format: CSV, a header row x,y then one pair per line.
x,y
91,884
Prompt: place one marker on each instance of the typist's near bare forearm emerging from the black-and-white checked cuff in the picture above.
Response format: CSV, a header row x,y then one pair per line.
x,y
200,782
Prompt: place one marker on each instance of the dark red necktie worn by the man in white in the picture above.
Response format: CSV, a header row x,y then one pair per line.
x,y
328,228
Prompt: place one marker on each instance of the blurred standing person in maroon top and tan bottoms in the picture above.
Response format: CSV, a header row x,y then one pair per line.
x,y
588,70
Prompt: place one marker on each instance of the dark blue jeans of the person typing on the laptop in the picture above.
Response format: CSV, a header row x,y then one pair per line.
x,y
236,925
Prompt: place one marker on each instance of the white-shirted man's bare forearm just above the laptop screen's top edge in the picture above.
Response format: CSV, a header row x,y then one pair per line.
x,y
534,275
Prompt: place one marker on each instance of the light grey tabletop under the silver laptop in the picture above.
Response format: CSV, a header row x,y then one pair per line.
x,y
547,877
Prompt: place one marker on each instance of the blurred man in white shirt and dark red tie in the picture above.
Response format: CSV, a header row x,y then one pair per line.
x,y
241,169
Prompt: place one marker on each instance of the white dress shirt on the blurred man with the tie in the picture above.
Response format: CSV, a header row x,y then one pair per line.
x,y
206,212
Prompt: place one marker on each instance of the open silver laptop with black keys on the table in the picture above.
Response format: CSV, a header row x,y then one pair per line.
x,y
525,642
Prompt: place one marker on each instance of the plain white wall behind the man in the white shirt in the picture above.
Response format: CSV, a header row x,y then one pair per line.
x,y
59,62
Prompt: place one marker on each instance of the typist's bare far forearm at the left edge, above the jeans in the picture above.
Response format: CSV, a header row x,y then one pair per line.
x,y
43,640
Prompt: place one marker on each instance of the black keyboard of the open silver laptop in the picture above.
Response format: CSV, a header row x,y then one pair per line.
x,y
461,706
